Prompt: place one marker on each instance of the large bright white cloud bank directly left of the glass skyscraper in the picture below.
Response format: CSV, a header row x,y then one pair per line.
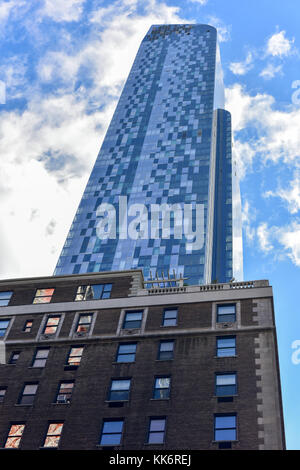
x,y
47,150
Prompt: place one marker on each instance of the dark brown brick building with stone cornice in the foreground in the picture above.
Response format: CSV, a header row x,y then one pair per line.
x,y
96,361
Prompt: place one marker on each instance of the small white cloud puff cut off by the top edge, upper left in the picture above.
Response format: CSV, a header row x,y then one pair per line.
x,y
63,10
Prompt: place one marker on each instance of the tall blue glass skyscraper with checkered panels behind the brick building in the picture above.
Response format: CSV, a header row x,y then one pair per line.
x,y
168,148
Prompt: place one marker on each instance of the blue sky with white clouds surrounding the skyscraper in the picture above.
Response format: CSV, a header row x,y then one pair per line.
x,y
64,63
